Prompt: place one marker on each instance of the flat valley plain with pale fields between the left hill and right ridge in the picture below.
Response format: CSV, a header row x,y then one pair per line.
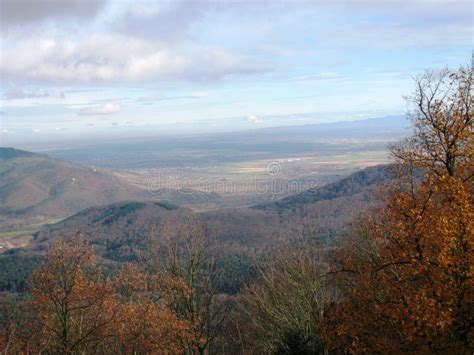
x,y
251,182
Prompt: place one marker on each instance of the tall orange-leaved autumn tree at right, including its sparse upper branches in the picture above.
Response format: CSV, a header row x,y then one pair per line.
x,y
406,273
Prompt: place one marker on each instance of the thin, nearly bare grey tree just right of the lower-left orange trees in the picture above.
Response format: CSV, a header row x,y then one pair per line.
x,y
183,252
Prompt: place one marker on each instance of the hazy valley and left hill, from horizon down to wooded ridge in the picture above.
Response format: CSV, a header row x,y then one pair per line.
x,y
201,172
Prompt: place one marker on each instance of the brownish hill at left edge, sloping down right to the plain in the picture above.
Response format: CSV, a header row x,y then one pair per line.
x,y
36,185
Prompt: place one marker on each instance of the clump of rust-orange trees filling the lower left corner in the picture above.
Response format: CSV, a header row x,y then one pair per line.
x,y
75,309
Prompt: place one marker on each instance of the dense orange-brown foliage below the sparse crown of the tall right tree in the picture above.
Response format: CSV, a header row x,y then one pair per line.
x,y
413,290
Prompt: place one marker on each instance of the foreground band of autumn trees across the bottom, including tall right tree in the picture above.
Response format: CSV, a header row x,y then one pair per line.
x,y
400,282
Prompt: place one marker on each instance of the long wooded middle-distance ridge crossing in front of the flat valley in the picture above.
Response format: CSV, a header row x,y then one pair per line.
x,y
119,228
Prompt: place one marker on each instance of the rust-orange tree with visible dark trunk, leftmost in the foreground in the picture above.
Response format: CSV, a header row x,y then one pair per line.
x,y
73,306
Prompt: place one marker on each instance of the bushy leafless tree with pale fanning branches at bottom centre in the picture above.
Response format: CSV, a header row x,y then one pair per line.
x,y
282,306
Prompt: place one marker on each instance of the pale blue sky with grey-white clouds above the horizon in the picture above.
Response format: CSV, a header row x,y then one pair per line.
x,y
84,67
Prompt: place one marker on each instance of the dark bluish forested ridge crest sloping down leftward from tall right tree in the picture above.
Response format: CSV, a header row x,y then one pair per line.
x,y
363,181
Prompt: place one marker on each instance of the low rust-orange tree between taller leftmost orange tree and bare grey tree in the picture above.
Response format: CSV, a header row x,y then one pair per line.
x,y
148,322
